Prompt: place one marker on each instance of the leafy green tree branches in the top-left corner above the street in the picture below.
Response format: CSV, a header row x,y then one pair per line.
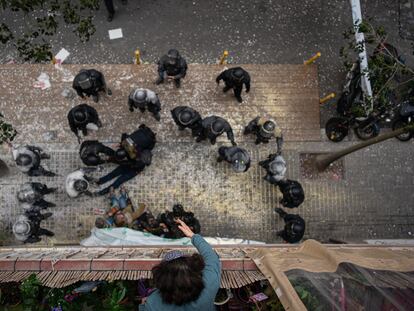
x,y
42,18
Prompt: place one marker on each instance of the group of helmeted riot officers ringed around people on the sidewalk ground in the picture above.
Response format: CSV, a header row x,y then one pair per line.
x,y
135,149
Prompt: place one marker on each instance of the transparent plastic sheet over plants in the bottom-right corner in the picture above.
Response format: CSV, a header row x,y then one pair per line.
x,y
353,287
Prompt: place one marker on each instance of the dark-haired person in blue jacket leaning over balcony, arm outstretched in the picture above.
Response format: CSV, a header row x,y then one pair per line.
x,y
186,282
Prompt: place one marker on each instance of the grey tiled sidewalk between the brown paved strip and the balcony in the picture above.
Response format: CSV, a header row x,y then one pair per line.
x,y
373,201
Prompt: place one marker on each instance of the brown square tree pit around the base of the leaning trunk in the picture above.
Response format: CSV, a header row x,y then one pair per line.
x,y
308,169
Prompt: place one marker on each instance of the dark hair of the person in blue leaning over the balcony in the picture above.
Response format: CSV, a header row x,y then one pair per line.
x,y
180,280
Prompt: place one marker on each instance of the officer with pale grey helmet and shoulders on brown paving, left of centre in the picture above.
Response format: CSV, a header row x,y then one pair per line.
x,y
145,99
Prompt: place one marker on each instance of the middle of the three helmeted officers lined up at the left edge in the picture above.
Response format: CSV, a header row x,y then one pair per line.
x,y
32,194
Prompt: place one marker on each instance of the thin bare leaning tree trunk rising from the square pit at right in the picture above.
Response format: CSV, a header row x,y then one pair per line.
x,y
324,160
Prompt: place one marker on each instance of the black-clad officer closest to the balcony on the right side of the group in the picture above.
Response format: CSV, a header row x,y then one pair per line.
x,y
294,227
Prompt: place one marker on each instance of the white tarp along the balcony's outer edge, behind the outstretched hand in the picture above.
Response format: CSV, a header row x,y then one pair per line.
x,y
125,236
